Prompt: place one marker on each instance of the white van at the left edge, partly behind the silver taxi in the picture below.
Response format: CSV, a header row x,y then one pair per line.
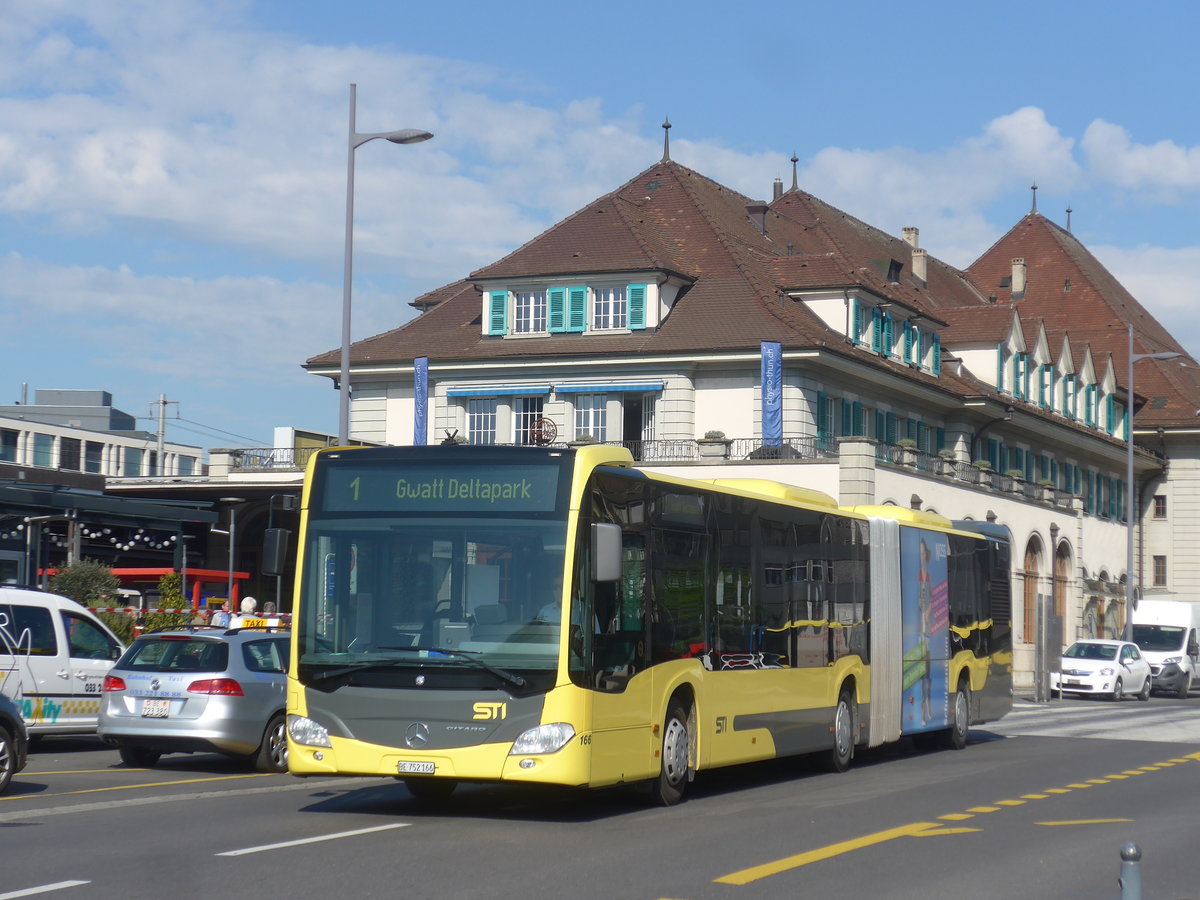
x,y
55,656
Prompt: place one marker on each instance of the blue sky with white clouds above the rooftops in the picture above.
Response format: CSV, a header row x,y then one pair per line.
x,y
173,173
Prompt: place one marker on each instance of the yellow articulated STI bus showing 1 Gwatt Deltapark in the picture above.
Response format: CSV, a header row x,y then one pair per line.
x,y
536,615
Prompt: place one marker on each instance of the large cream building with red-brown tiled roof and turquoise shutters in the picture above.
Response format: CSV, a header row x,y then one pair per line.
x,y
998,393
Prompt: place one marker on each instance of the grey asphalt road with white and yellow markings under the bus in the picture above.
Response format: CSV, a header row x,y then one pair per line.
x,y
1039,806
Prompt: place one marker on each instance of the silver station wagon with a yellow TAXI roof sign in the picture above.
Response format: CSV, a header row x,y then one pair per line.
x,y
200,691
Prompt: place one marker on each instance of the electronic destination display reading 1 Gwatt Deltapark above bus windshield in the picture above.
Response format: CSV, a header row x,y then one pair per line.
x,y
435,489
